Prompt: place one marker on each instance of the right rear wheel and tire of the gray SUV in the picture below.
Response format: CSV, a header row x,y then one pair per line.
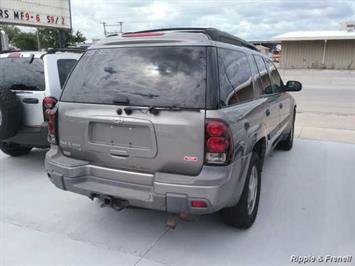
x,y
243,214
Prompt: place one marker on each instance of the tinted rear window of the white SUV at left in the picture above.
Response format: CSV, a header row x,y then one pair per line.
x,y
20,74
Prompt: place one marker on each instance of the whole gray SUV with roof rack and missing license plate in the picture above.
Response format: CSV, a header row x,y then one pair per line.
x,y
178,120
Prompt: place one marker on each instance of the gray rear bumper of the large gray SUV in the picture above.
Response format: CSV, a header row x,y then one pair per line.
x,y
217,186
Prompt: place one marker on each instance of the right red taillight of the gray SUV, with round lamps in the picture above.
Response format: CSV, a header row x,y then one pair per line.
x,y
219,148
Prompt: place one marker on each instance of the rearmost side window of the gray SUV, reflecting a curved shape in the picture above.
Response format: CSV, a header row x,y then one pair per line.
x,y
235,76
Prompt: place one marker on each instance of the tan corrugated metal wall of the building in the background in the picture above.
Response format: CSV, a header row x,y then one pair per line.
x,y
340,54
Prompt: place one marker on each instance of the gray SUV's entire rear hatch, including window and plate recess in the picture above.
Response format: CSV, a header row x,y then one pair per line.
x,y
137,108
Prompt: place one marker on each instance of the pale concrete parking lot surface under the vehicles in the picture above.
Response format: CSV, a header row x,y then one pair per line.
x,y
306,208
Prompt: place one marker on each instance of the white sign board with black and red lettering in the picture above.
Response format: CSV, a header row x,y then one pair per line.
x,y
37,13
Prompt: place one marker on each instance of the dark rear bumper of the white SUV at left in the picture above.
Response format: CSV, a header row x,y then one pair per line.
x,y
32,136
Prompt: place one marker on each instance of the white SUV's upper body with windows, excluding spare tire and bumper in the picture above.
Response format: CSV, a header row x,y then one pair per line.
x,y
33,78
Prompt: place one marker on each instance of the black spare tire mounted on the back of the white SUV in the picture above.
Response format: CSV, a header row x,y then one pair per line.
x,y
10,114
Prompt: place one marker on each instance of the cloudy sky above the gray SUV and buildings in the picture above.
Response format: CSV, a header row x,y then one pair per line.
x,y
248,19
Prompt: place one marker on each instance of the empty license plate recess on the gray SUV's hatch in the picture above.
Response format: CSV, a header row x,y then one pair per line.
x,y
123,135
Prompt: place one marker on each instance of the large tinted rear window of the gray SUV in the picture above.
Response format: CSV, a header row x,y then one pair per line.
x,y
143,76
